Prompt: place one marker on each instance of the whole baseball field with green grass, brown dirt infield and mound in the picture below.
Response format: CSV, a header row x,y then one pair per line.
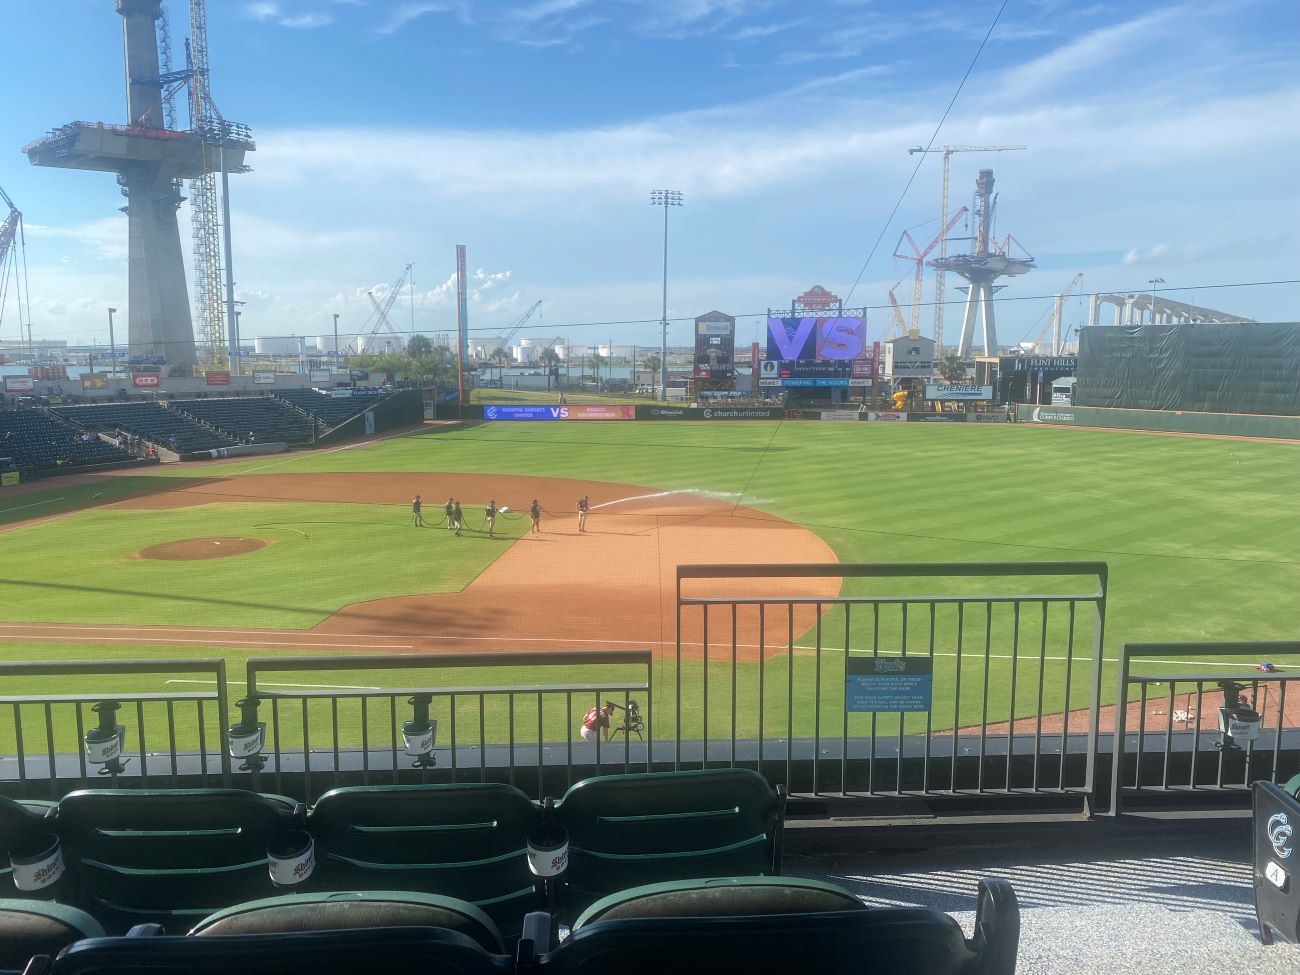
x,y
318,553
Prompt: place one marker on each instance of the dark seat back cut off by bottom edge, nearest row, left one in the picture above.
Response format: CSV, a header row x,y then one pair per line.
x,y
382,951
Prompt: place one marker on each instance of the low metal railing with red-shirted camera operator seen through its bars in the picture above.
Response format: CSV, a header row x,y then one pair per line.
x,y
521,726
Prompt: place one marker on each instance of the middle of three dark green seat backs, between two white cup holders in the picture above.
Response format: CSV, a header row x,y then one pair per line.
x,y
465,840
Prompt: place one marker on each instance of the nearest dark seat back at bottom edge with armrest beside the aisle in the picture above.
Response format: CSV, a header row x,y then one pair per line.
x,y
861,942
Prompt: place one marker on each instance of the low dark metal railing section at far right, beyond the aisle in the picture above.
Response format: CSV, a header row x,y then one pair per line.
x,y
1177,714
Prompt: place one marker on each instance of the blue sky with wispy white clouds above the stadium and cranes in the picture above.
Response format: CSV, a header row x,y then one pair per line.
x,y
1162,144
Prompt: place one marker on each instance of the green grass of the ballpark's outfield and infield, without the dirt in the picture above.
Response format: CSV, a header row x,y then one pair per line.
x,y
1201,535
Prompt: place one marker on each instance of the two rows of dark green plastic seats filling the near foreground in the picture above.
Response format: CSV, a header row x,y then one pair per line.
x,y
188,873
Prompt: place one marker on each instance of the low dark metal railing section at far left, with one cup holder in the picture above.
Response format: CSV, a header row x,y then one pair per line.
x,y
167,736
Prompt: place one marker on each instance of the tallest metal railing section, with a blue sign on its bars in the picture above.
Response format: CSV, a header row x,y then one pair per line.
x,y
1015,678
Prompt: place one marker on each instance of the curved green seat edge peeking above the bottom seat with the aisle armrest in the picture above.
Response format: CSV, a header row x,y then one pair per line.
x,y
722,898
